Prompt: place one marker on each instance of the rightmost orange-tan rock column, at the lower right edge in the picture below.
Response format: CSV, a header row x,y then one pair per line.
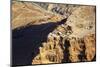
x,y
90,46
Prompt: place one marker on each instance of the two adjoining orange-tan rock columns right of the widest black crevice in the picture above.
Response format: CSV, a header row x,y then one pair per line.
x,y
75,48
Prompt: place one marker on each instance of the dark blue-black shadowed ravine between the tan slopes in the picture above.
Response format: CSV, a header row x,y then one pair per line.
x,y
28,39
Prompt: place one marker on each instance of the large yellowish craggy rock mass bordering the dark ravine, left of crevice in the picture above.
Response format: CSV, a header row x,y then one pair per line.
x,y
50,52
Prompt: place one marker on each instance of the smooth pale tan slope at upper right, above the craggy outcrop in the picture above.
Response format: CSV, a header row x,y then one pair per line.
x,y
82,21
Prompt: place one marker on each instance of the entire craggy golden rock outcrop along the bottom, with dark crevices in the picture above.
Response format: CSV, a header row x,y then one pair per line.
x,y
74,50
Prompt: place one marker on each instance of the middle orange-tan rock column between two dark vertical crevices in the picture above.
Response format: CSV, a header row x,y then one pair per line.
x,y
74,50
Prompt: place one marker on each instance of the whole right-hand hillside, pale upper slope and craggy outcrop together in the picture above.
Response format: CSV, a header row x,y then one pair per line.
x,y
79,32
